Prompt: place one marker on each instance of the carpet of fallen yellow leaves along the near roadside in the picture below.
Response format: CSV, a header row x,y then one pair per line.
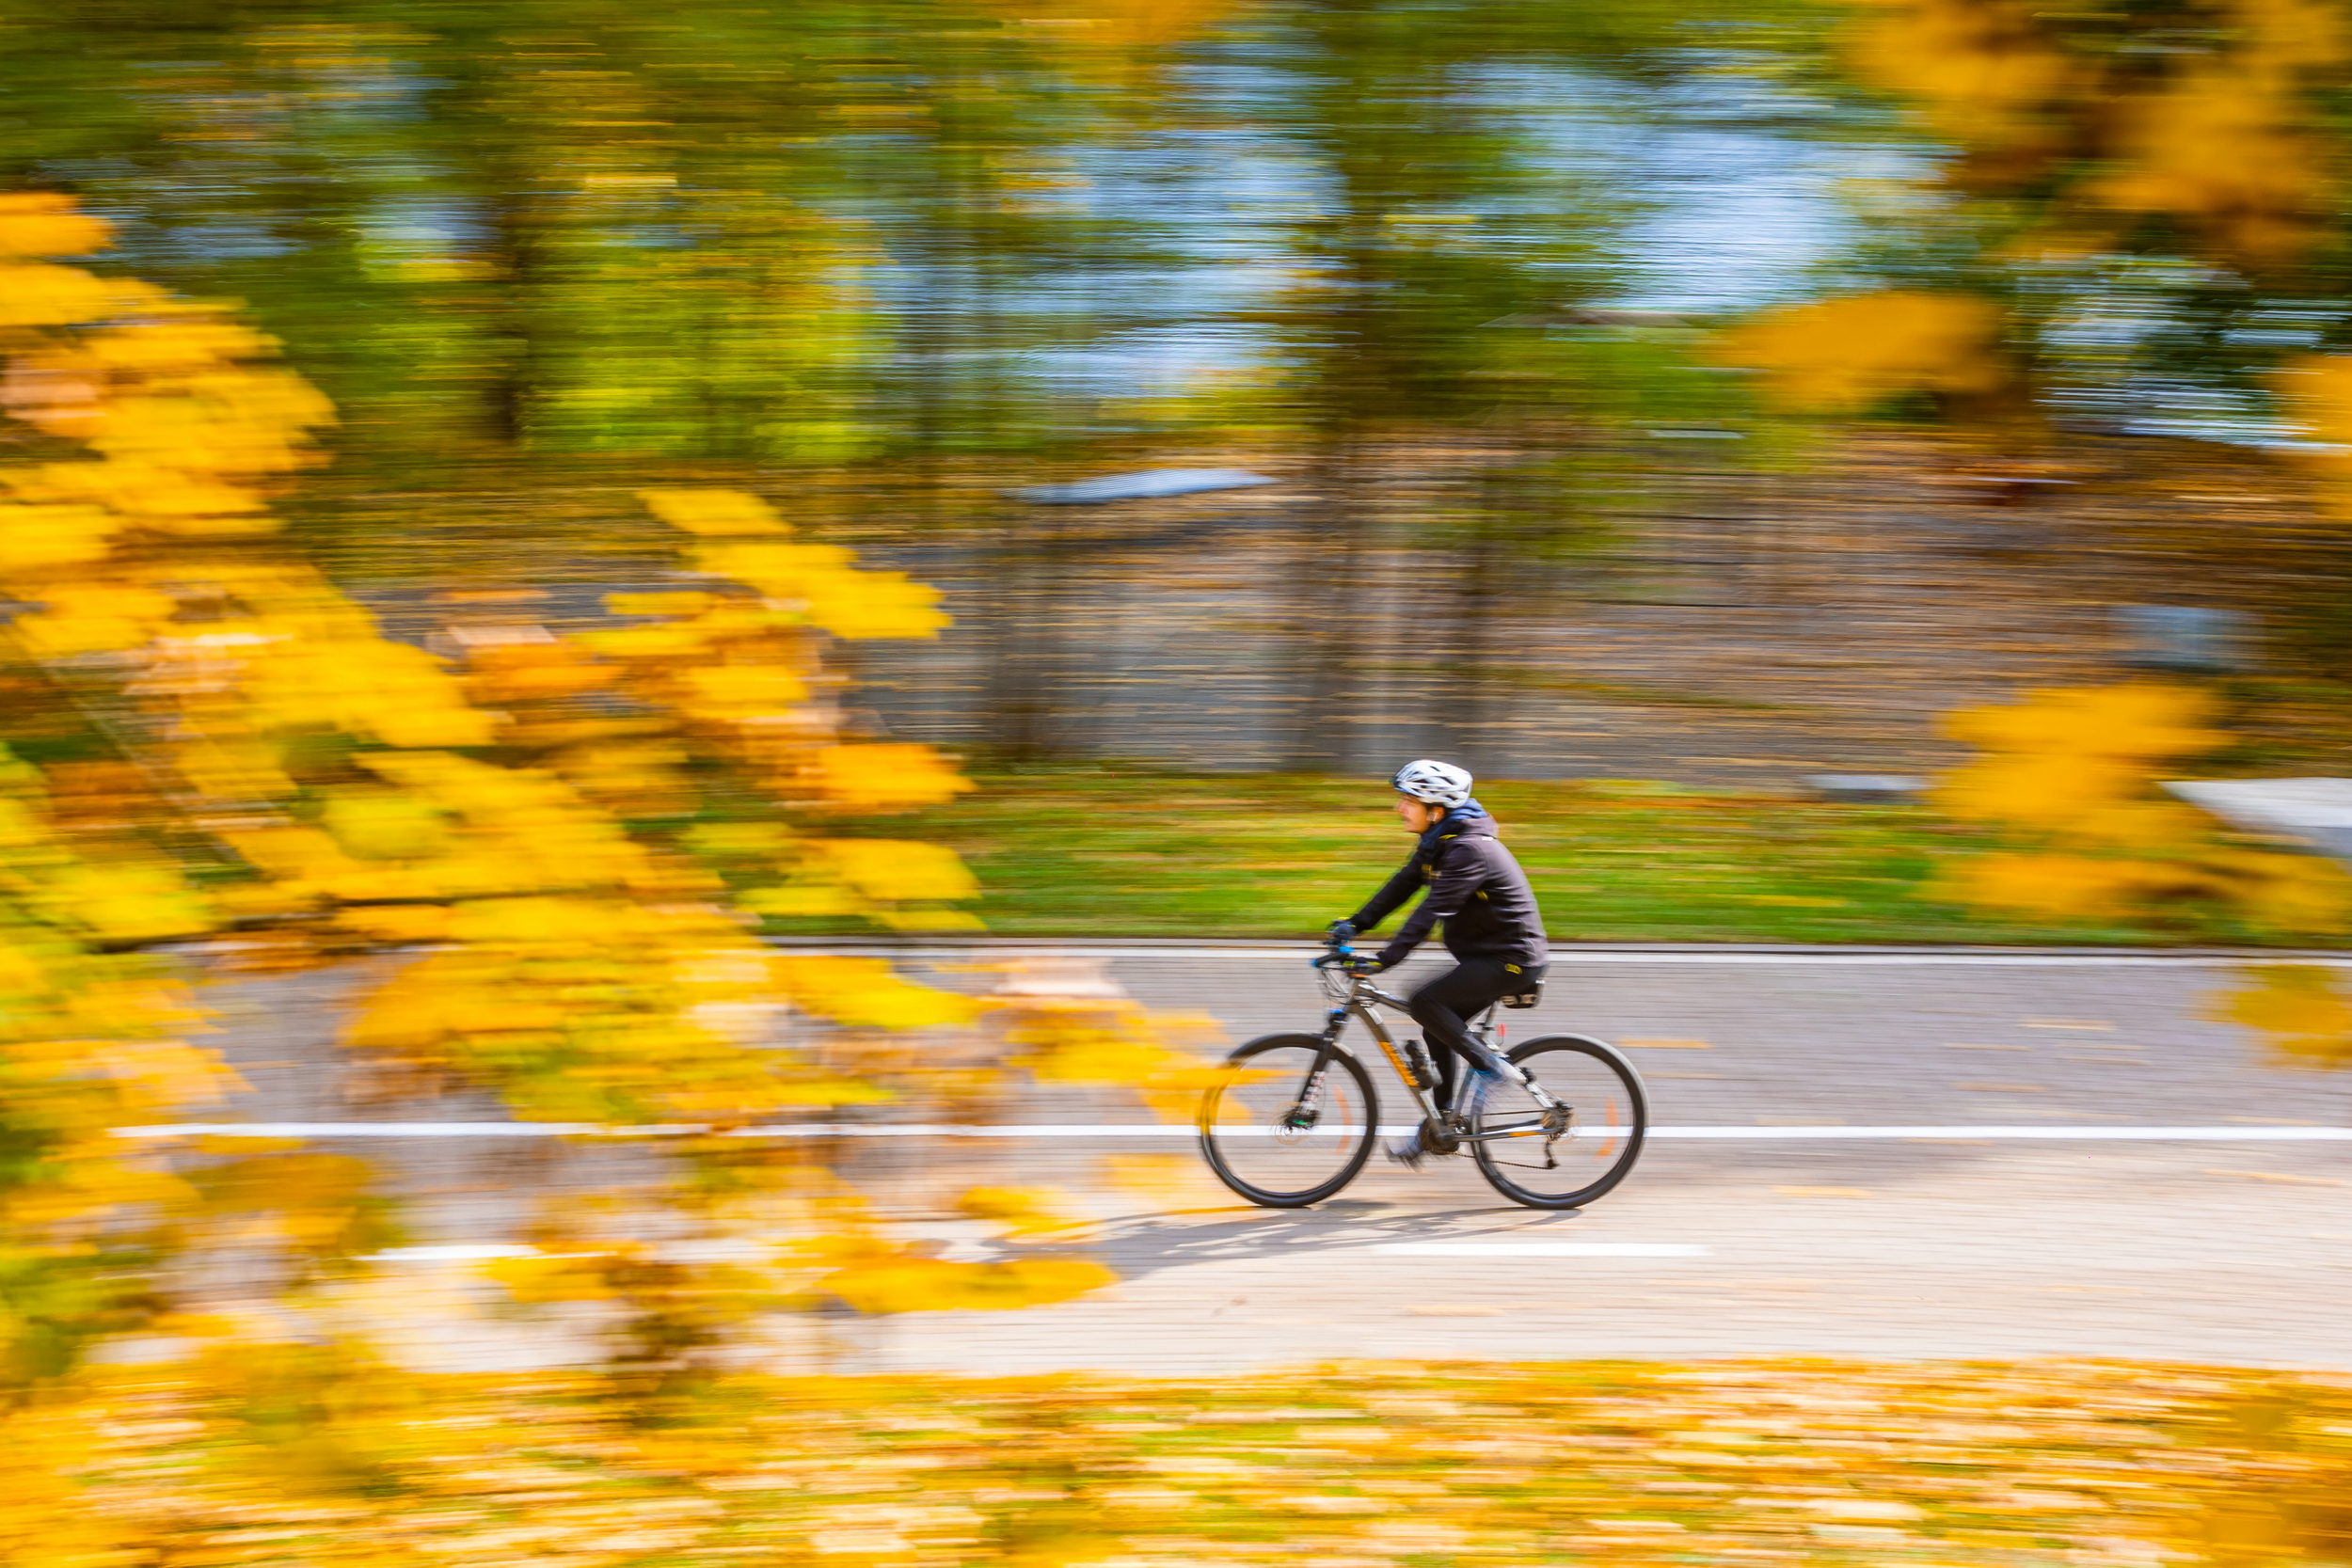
x,y
2036,1463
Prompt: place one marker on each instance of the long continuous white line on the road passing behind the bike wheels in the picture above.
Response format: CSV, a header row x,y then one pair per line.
x,y
1175,1130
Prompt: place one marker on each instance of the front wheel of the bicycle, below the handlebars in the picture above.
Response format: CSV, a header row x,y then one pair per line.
x,y
1278,1132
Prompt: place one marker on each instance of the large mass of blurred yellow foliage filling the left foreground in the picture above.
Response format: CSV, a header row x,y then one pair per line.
x,y
575,965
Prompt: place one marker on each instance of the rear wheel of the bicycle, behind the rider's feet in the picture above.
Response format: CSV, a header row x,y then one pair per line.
x,y
1563,1160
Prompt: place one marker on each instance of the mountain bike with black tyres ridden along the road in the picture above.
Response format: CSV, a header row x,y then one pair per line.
x,y
1295,1118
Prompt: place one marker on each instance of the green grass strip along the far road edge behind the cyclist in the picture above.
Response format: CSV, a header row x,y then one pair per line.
x,y
1125,852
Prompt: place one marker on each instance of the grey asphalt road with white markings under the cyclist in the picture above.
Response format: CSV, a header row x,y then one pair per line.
x,y
2111,1174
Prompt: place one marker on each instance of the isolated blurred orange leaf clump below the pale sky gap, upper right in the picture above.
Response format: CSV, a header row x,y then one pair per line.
x,y
1843,356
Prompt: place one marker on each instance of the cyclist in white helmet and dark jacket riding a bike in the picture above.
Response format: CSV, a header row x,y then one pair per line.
x,y
1495,932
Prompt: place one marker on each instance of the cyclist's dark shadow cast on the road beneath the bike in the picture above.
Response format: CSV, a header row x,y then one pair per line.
x,y
1147,1245
